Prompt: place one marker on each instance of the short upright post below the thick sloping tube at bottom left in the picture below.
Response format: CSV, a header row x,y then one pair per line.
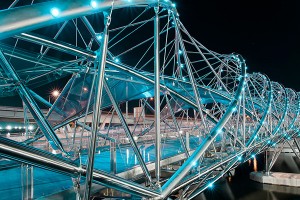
x,y
27,181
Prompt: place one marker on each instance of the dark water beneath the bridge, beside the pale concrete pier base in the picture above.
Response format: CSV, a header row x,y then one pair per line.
x,y
240,187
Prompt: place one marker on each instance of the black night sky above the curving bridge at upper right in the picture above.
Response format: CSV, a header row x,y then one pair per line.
x,y
266,33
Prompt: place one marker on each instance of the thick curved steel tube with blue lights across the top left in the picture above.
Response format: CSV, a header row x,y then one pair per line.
x,y
28,18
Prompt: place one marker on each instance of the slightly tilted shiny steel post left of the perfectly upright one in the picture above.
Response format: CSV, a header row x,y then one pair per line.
x,y
100,64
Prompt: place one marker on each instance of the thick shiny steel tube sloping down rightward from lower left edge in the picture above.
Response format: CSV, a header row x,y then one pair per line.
x,y
32,156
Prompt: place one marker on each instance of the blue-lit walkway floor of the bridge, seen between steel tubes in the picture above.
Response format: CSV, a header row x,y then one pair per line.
x,y
47,182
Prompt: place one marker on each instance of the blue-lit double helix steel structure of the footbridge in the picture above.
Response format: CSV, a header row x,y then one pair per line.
x,y
198,108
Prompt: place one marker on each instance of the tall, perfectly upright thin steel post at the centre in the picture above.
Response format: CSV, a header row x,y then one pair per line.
x,y
157,95
